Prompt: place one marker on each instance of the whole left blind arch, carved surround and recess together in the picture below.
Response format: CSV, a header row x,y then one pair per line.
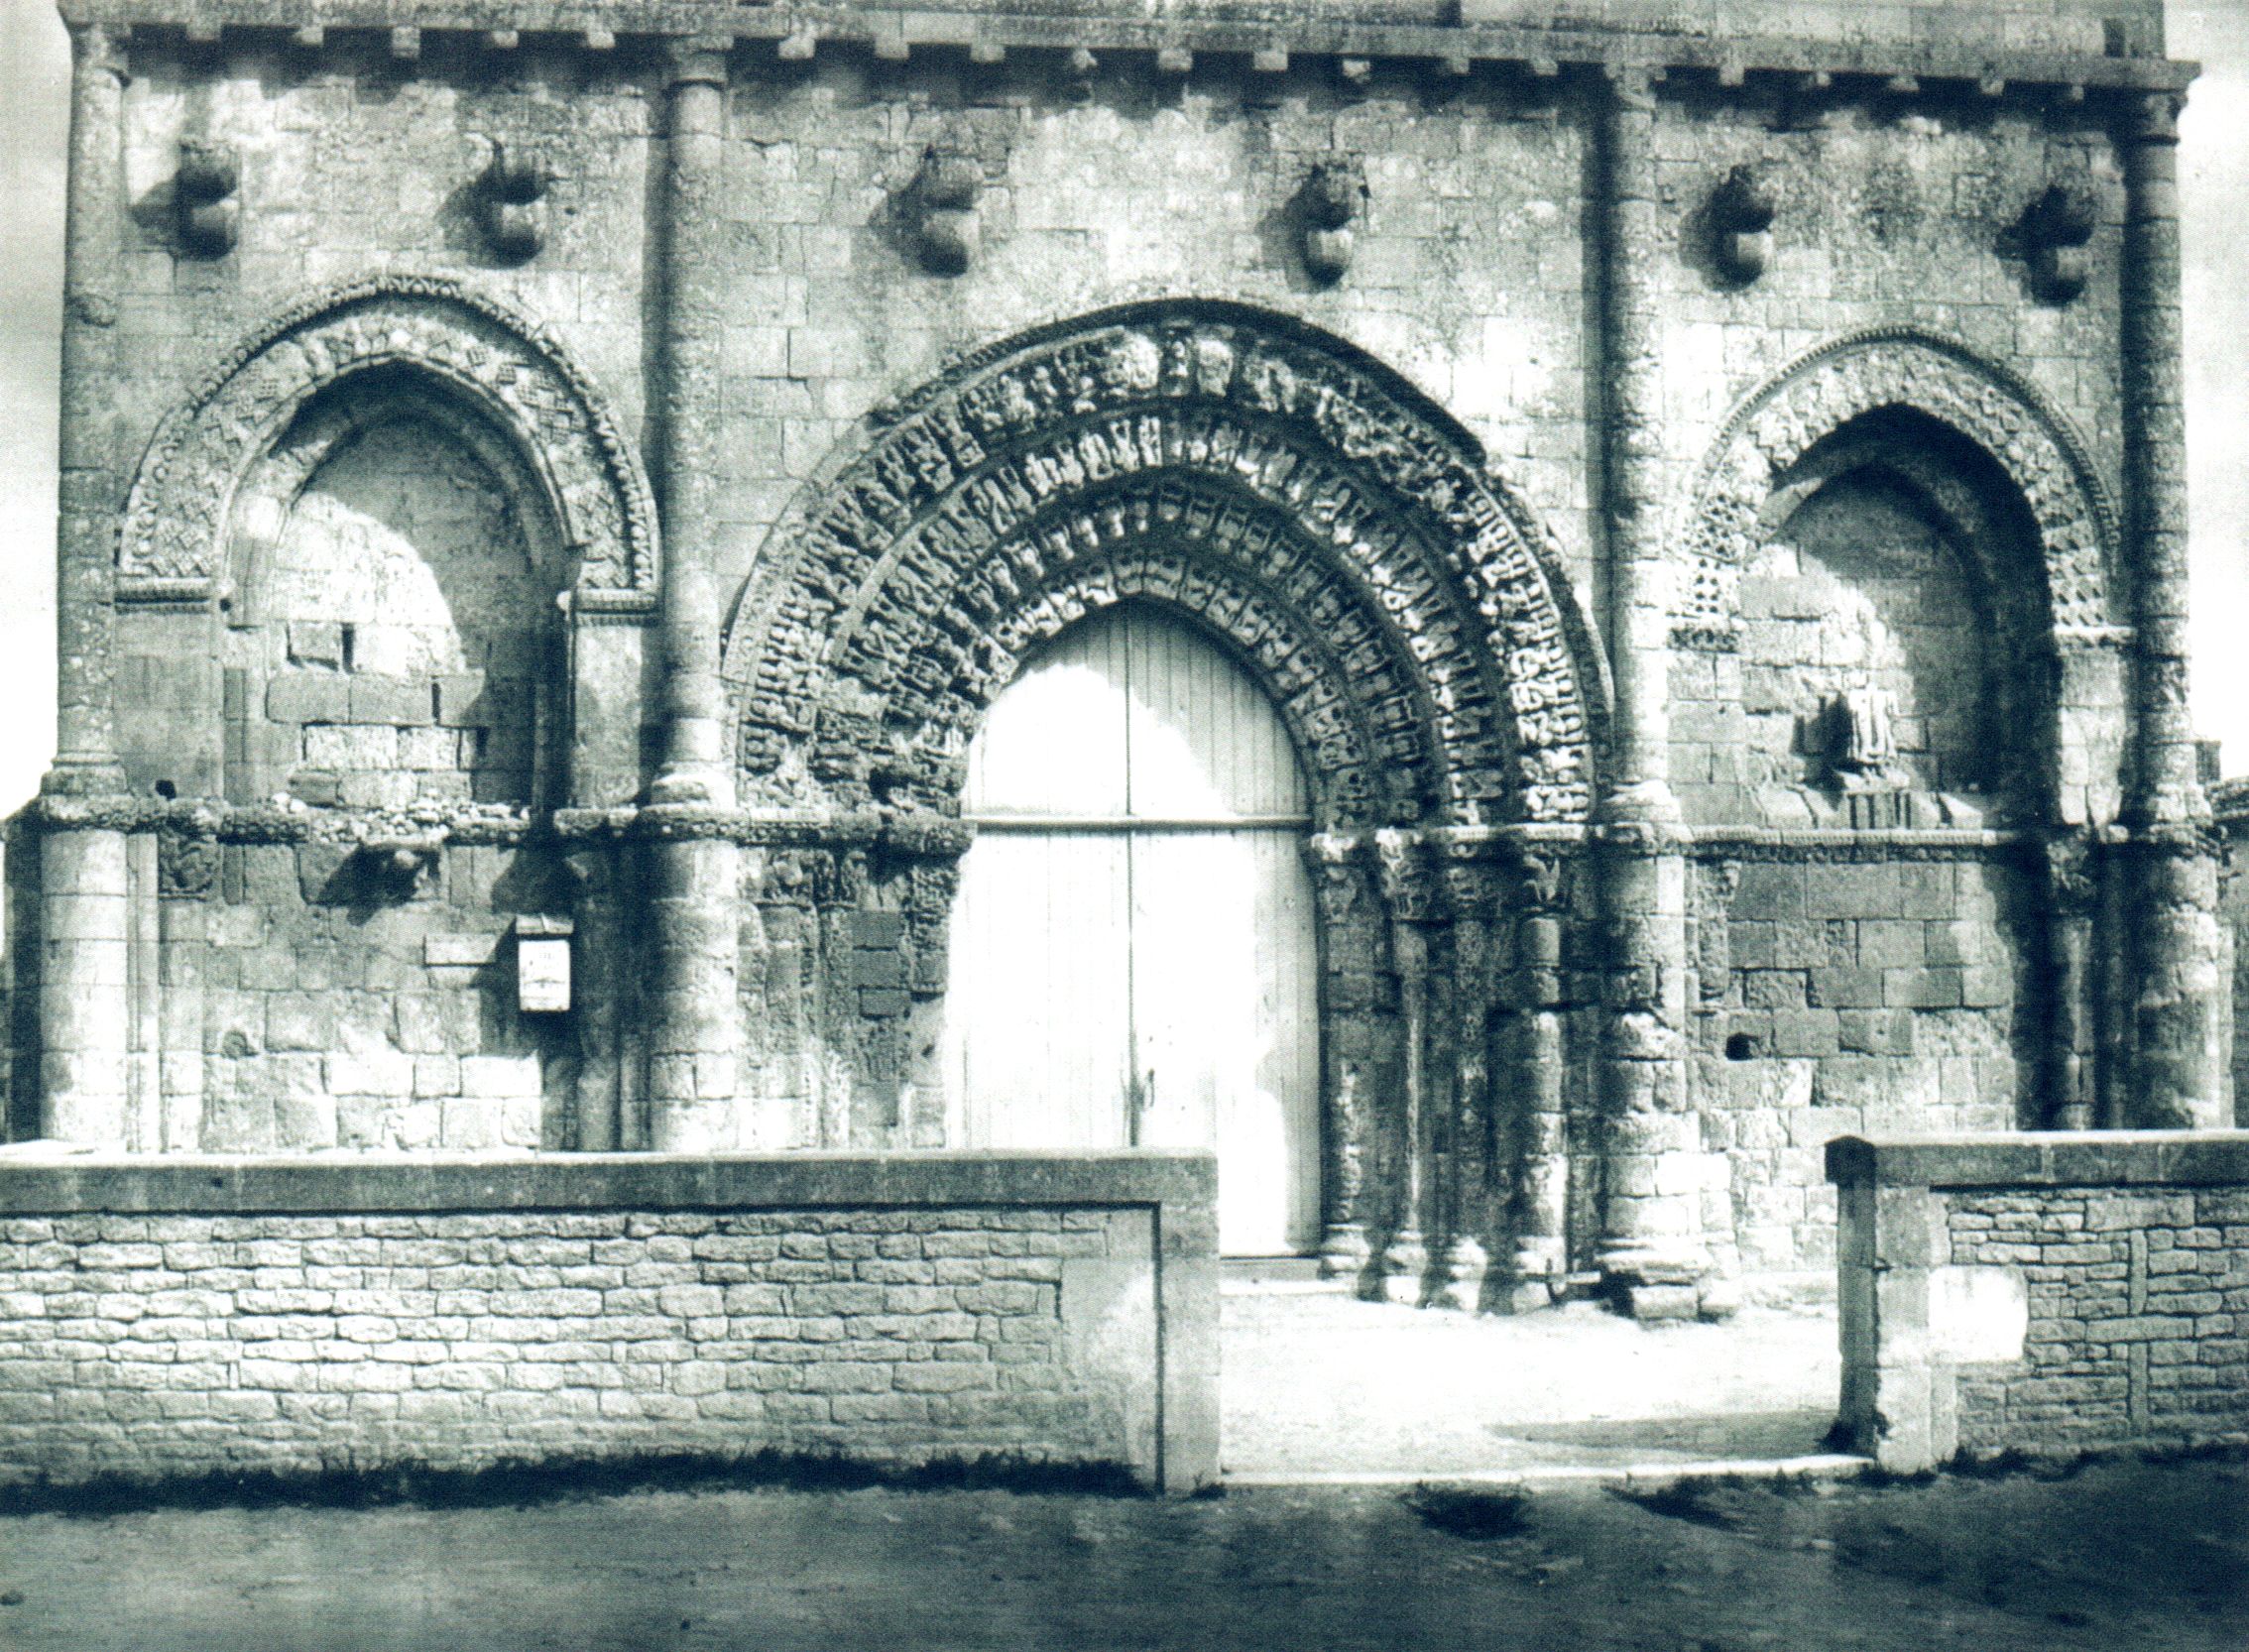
x,y
377,412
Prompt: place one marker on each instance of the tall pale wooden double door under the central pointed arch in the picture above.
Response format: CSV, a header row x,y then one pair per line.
x,y
1135,954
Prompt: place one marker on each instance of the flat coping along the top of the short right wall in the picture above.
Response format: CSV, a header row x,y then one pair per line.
x,y
2043,1159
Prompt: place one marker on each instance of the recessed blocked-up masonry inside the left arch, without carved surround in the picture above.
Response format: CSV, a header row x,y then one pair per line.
x,y
392,603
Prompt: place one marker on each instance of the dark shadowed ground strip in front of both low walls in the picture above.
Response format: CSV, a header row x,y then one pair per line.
x,y
2120,1559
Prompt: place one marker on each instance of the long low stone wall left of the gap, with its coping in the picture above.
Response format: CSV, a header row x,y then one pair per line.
x,y
195,1316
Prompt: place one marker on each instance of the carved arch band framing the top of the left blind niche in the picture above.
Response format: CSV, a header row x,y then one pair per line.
x,y
469,345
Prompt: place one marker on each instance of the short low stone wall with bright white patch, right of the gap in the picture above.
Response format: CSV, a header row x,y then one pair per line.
x,y
2043,1294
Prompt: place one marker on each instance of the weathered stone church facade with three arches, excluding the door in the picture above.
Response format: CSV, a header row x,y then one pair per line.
x,y
552,493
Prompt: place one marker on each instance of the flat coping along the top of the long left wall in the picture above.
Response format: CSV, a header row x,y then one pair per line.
x,y
42,1179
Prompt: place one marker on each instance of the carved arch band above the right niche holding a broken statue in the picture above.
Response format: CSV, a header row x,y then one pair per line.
x,y
1920,372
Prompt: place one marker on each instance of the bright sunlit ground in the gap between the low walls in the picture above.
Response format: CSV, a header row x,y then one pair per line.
x,y
1328,1383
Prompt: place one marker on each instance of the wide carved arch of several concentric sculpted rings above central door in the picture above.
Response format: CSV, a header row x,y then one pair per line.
x,y
1294,498
